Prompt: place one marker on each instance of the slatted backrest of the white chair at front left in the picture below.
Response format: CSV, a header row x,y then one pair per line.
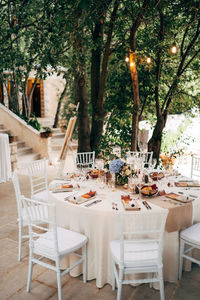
x,y
44,214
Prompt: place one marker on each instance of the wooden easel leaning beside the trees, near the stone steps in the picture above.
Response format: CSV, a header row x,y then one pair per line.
x,y
66,144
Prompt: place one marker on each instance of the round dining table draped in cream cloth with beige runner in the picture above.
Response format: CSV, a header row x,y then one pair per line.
x,y
99,222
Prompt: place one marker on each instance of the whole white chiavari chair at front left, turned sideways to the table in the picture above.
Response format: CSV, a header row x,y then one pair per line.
x,y
52,242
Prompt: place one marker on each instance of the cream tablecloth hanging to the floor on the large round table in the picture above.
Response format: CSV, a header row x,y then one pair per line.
x,y
99,224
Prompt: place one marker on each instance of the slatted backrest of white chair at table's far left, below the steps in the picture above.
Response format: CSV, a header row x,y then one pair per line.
x,y
38,176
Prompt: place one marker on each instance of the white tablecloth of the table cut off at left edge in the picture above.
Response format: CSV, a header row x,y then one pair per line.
x,y
5,163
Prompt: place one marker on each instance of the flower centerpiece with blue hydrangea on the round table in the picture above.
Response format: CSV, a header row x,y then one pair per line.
x,y
121,171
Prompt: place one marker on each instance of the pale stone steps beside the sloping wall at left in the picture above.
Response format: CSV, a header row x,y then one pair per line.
x,y
24,153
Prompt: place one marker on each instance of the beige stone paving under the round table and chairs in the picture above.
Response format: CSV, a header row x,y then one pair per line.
x,y
13,274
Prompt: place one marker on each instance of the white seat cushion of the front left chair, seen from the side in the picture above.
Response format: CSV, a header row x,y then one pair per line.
x,y
68,241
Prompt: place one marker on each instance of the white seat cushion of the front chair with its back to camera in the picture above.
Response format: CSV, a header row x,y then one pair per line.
x,y
137,253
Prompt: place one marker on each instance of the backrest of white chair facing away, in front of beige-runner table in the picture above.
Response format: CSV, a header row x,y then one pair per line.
x,y
142,227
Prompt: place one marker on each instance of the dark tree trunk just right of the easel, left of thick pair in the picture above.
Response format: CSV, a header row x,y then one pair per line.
x,y
83,119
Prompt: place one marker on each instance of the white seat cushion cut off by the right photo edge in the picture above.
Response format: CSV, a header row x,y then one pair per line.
x,y
192,234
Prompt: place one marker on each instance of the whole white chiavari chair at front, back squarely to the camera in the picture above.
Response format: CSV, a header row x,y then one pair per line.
x,y
139,249
